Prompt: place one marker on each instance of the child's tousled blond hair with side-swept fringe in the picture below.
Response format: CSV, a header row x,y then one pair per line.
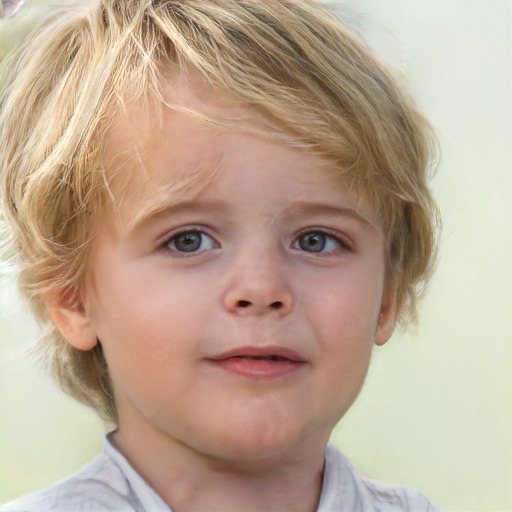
x,y
295,64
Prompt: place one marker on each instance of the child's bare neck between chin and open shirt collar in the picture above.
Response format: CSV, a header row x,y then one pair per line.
x,y
190,481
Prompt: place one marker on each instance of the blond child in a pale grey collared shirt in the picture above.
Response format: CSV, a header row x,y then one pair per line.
x,y
217,207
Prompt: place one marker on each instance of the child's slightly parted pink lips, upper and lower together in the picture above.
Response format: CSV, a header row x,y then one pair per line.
x,y
259,363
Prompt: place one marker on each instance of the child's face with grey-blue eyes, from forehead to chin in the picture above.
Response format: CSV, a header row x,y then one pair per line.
x,y
238,321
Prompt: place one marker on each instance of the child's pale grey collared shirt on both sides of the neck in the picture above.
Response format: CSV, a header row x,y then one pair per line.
x,y
110,483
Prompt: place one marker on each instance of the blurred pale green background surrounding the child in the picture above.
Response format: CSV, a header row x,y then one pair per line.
x,y
435,412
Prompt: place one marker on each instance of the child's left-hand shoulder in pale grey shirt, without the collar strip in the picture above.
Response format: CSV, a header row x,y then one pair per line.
x,y
98,487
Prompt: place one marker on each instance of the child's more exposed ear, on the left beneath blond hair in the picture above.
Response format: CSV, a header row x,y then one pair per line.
x,y
71,318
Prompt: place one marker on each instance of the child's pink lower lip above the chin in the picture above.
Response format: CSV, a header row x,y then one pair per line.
x,y
258,369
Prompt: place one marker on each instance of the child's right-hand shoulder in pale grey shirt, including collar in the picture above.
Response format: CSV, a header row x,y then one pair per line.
x,y
346,489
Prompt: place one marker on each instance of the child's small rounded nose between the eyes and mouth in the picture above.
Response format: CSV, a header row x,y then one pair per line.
x,y
259,285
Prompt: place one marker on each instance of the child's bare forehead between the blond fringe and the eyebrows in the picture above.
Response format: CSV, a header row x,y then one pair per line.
x,y
178,156
